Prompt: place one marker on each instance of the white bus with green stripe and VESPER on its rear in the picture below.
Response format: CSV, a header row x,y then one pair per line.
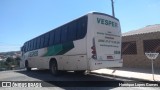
x,y
90,42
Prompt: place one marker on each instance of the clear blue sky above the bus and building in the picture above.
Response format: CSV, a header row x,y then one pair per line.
x,y
22,20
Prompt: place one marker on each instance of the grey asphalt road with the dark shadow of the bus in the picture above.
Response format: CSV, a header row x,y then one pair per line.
x,y
66,81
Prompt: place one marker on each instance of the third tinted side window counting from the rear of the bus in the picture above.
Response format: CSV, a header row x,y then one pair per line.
x,y
64,34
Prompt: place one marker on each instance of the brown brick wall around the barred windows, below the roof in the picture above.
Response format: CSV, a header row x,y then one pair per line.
x,y
140,60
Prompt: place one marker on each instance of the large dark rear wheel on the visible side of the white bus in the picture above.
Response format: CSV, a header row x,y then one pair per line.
x,y
53,68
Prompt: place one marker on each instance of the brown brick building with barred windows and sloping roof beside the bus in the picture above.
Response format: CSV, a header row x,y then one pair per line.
x,y
135,43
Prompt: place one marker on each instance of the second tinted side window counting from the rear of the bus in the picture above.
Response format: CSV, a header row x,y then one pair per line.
x,y
72,31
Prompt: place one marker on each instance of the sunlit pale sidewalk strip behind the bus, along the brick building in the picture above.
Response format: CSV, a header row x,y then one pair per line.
x,y
130,73
